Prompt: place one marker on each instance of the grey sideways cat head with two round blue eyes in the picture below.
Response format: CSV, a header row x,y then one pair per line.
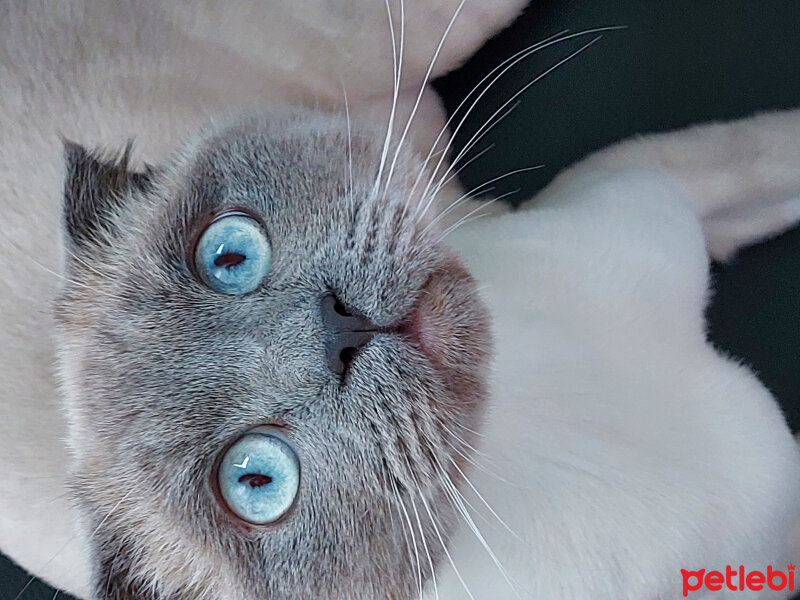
x,y
272,367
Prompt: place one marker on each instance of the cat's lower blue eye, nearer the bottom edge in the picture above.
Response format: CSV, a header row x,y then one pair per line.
x,y
259,477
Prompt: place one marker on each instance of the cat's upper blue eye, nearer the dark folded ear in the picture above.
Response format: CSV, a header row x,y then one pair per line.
x,y
233,254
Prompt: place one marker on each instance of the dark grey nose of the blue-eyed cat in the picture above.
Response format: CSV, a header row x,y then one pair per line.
x,y
346,331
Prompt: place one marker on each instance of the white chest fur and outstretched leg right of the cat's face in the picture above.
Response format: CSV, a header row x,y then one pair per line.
x,y
621,447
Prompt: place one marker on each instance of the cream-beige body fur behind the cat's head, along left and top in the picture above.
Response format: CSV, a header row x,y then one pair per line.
x,y
101,72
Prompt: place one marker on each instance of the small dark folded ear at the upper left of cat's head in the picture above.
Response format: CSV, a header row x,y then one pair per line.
x,y
94,188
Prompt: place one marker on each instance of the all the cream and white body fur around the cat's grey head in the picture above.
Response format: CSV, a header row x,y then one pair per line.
x,y
620,447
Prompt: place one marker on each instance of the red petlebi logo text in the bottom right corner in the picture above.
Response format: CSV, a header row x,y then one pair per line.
x,y
738,579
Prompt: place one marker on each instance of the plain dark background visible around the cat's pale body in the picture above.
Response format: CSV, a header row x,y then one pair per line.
x,y
676,63
